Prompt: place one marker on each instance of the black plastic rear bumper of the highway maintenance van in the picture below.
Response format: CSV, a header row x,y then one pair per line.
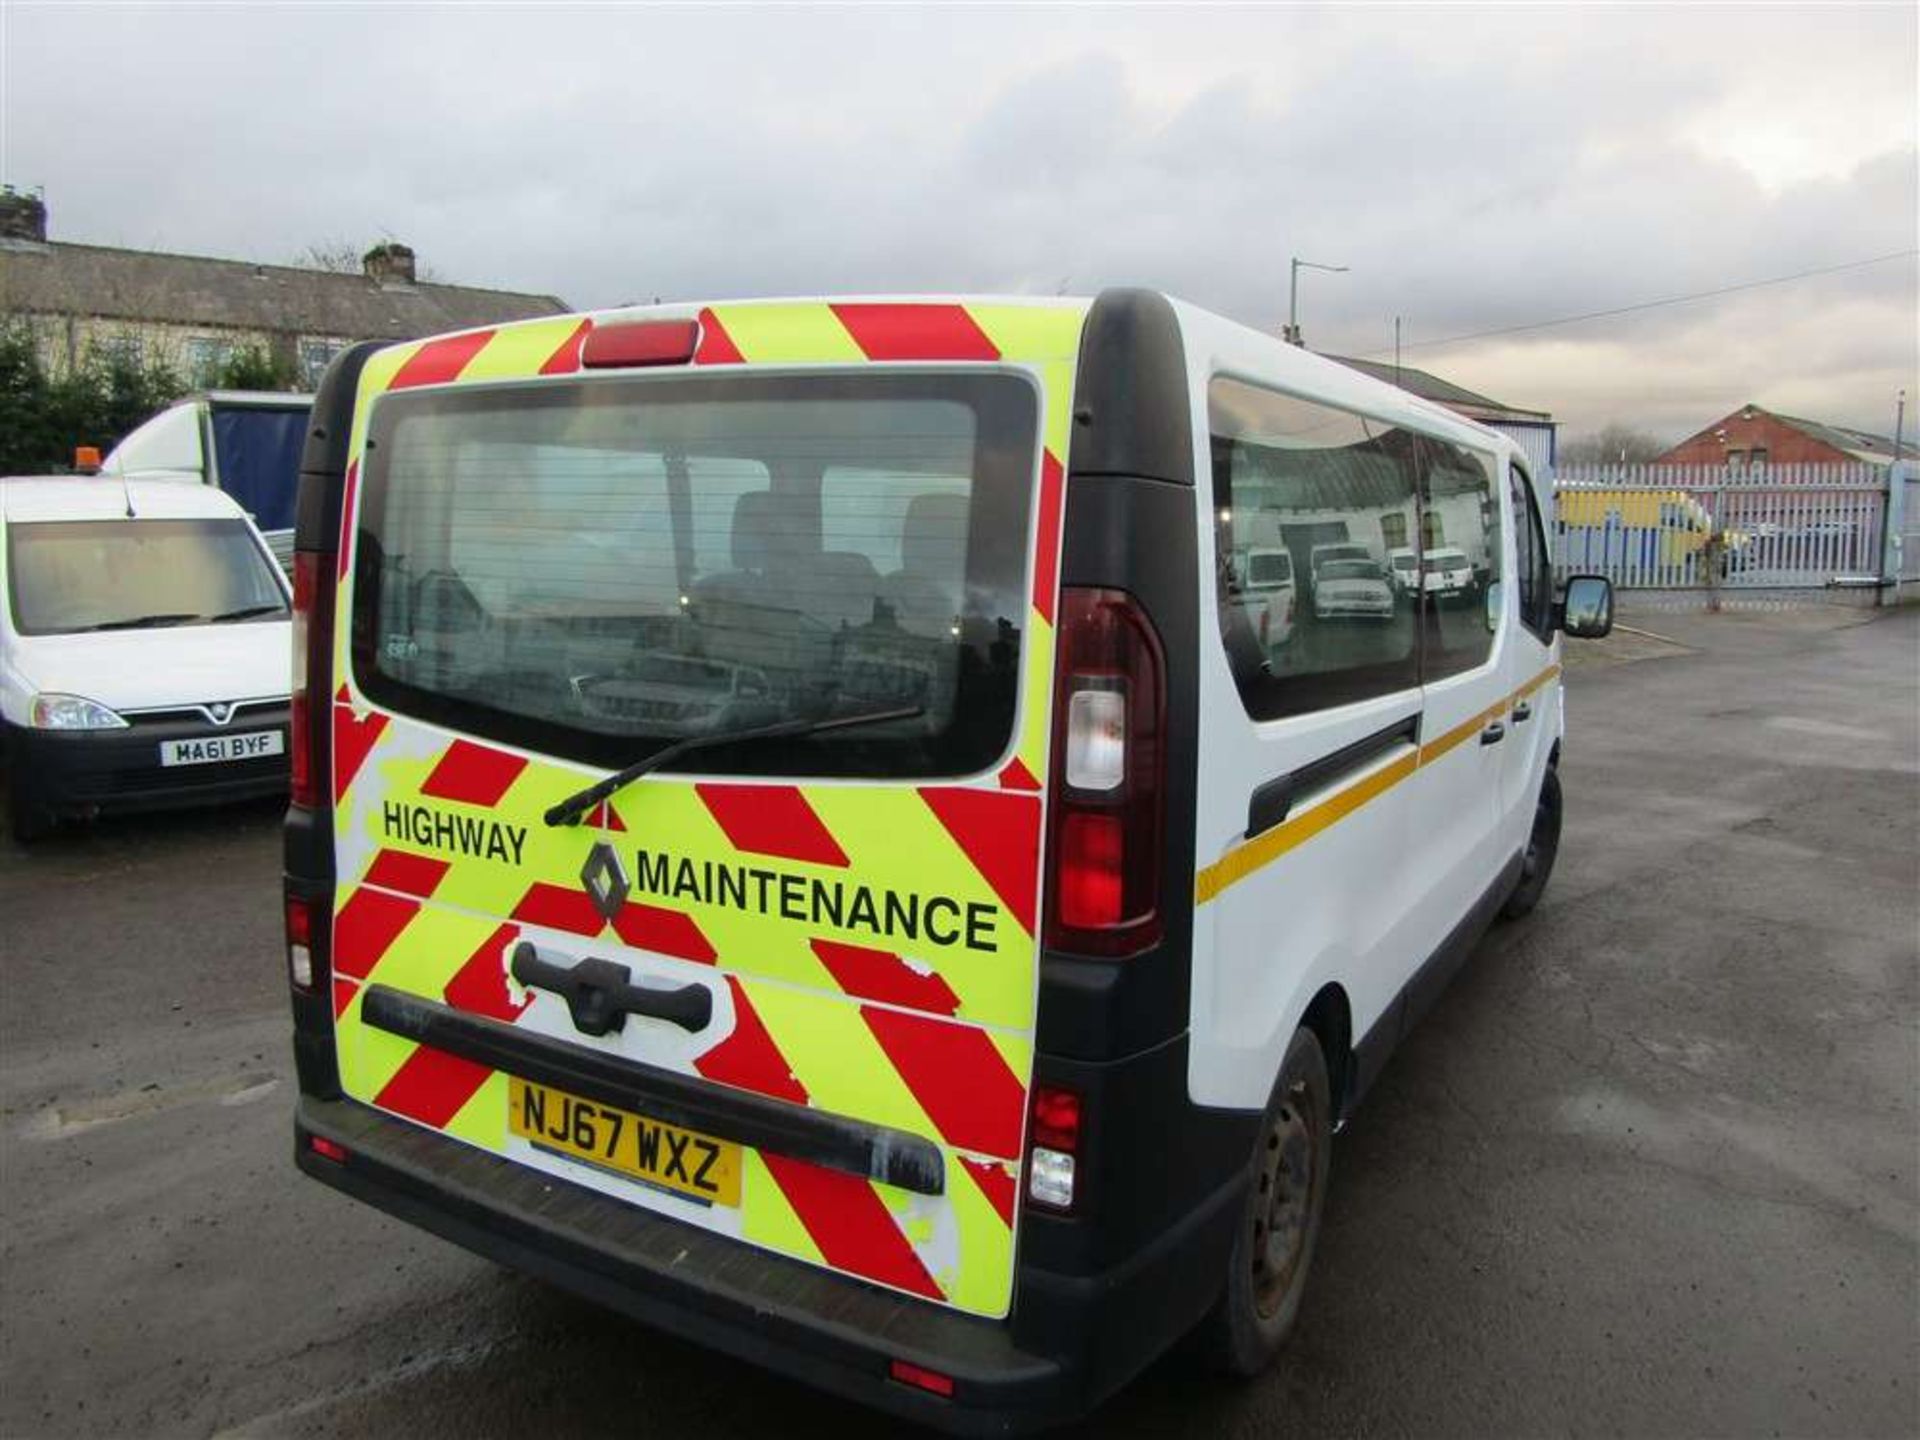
x,y
802,1322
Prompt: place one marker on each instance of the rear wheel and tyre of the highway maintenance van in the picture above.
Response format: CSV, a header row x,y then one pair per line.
x,y
1280,1224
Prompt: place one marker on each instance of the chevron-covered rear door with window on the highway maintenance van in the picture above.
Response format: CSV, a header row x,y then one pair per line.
x,y
784,986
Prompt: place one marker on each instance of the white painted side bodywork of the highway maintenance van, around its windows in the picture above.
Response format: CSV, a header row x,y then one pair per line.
x,y
1368,900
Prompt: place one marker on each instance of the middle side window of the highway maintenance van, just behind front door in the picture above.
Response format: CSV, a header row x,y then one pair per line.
x,y
1460,506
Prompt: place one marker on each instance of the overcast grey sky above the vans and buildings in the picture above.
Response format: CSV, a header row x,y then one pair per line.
x,y
1476,168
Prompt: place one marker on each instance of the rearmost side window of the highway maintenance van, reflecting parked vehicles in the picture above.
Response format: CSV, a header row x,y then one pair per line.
x,y
1326,491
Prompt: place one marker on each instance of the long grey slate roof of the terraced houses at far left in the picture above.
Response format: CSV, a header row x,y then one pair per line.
x,y
153,287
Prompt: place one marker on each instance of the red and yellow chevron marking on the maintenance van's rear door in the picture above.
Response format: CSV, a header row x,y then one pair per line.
x,y
924,1036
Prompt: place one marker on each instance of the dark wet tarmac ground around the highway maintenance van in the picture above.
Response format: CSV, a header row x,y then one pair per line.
x,y
1648,1168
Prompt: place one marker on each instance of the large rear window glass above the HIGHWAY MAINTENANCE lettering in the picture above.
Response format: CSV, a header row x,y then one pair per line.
x,y
612,565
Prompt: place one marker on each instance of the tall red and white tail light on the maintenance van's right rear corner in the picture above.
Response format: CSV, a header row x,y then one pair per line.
x,y
1109,779
